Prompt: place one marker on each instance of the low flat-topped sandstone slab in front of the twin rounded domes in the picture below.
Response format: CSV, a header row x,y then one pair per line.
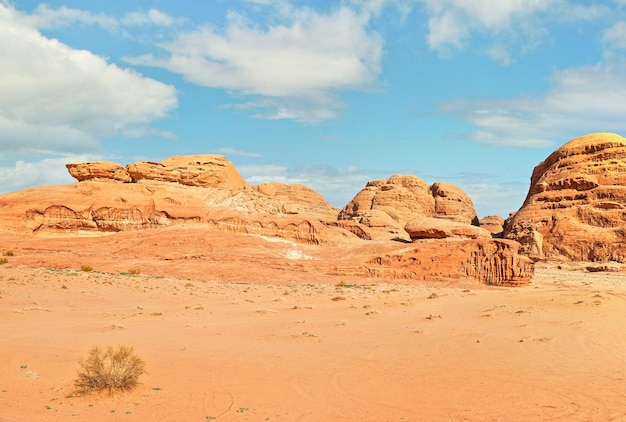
x,y
437,228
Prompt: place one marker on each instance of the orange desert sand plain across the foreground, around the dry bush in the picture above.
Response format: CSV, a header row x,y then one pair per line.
x,y
242,328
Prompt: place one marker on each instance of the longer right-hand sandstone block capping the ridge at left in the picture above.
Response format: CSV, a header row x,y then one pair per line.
x,y
206,170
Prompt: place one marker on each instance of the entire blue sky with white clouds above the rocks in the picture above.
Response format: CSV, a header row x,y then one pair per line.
x,y
328,94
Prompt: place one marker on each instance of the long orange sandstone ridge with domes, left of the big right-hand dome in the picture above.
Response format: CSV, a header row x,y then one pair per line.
x,y
398,229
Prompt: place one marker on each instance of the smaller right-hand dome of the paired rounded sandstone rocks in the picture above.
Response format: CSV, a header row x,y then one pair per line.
x,y
452,203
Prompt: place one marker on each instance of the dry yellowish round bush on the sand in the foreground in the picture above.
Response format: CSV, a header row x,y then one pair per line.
x,y
114,370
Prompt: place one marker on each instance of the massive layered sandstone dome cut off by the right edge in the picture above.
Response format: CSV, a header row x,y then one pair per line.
x,y
576,205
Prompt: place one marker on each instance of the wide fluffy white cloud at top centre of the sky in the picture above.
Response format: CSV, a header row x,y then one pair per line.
x,y
287,70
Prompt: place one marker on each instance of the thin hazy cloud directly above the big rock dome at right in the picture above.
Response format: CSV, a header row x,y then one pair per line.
x,y
580,100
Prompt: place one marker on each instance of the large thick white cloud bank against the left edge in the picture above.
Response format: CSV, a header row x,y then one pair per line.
x,y
56,99
